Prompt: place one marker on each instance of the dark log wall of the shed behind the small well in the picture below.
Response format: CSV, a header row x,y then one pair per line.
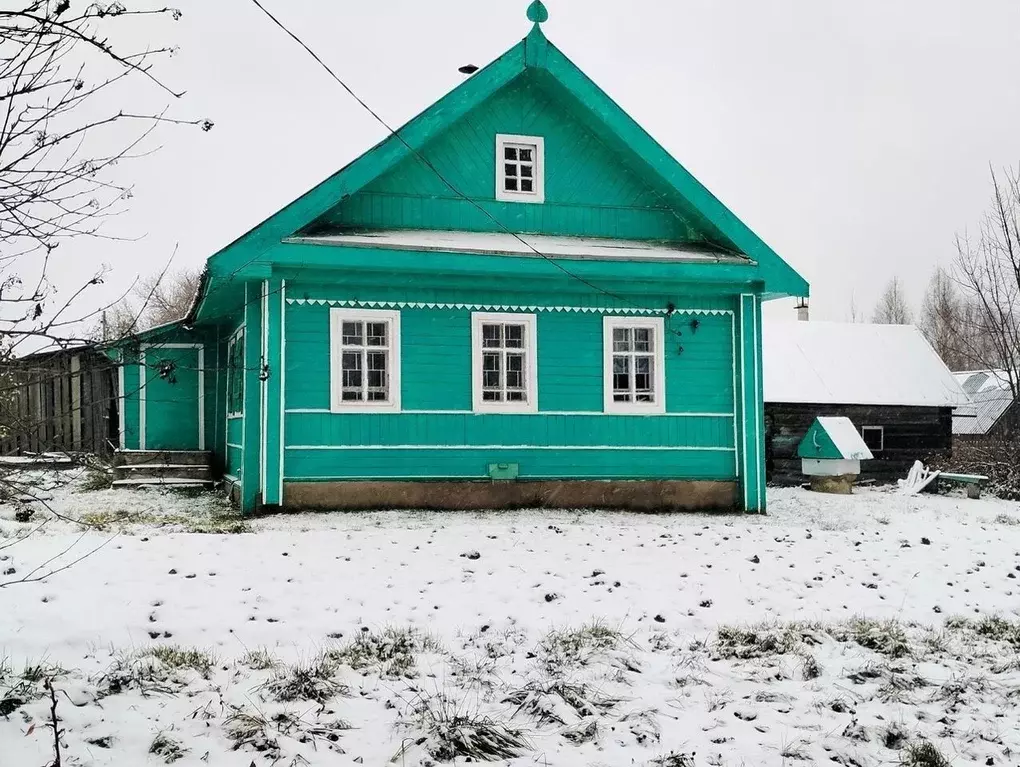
x,y
911,434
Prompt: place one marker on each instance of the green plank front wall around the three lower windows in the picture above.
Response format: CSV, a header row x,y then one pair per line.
x,y
456,443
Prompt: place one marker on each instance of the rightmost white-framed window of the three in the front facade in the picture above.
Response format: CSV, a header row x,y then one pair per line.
x,y
635,370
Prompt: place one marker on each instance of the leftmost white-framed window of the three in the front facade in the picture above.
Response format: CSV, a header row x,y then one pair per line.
x,y
365,361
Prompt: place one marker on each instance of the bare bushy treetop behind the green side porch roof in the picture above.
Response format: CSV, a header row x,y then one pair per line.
x,y
155,300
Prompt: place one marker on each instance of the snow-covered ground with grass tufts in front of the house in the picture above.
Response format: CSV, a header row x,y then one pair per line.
x,y
846,630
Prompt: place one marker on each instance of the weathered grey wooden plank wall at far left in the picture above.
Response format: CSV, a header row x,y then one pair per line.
x,y
63,402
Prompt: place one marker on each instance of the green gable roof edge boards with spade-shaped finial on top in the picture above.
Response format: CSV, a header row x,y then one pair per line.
x,y
534,54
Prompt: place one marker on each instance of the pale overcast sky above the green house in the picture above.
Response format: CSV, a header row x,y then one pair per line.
x,y
855,138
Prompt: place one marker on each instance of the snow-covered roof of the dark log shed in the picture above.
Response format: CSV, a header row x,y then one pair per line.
x,y
842,364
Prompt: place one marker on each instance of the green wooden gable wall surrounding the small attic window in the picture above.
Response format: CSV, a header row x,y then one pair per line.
x,y
592,190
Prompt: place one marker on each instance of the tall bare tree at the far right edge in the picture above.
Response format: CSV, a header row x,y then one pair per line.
x,y
988,268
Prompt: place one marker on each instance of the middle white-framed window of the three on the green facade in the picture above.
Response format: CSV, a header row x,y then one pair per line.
x,y
504,377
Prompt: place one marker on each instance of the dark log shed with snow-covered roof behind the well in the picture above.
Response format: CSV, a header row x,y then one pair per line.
x,y
888,380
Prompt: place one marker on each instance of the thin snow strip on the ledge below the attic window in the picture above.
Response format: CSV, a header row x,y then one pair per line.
x,y
503,244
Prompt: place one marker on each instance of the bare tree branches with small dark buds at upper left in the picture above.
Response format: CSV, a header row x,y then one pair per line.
x,y
63,131
